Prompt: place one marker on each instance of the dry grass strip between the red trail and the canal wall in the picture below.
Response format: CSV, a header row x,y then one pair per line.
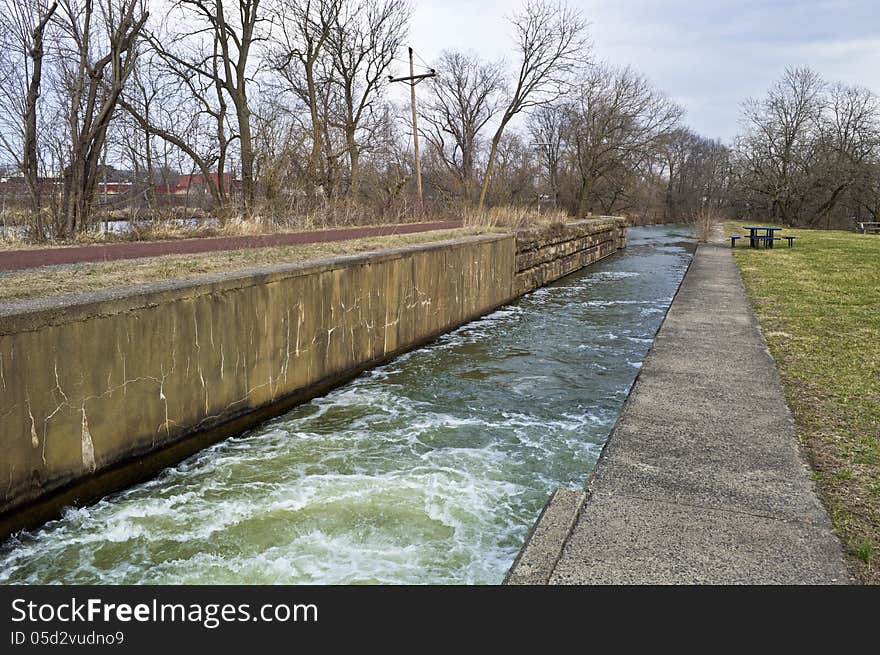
x,y
50,281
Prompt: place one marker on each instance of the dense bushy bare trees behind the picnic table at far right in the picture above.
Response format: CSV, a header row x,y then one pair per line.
x,y
809,153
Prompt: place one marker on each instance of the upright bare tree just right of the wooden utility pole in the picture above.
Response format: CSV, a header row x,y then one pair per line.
x,y
467,95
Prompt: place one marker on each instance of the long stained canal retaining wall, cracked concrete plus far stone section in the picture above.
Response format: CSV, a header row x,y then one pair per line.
x,y
100,390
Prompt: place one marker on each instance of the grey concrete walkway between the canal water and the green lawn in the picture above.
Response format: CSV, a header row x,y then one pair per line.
x,y
702,480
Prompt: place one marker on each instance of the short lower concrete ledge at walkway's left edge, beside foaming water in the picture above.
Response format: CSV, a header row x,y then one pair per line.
x,y
536,561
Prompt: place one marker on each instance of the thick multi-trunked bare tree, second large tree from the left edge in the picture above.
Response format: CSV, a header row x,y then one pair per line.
x,y
94,82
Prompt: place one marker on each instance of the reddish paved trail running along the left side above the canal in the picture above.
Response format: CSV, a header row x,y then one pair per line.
x,y
20,259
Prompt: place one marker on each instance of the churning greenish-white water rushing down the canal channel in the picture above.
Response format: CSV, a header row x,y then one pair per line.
x,y
428,470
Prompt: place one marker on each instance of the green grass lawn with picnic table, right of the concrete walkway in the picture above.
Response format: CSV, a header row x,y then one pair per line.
x,y
819,308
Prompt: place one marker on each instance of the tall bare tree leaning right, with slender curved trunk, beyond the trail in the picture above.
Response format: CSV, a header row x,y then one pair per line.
x,y
551,42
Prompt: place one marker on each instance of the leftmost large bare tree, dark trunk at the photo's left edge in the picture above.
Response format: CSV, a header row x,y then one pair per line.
x,y
23,25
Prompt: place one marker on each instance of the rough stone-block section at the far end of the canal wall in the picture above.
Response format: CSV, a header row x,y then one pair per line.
x,y
548,253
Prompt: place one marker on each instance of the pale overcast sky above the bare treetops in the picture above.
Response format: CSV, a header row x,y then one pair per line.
x,y
707,55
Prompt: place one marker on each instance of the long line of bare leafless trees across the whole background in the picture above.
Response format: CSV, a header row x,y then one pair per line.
x,y
293,97
